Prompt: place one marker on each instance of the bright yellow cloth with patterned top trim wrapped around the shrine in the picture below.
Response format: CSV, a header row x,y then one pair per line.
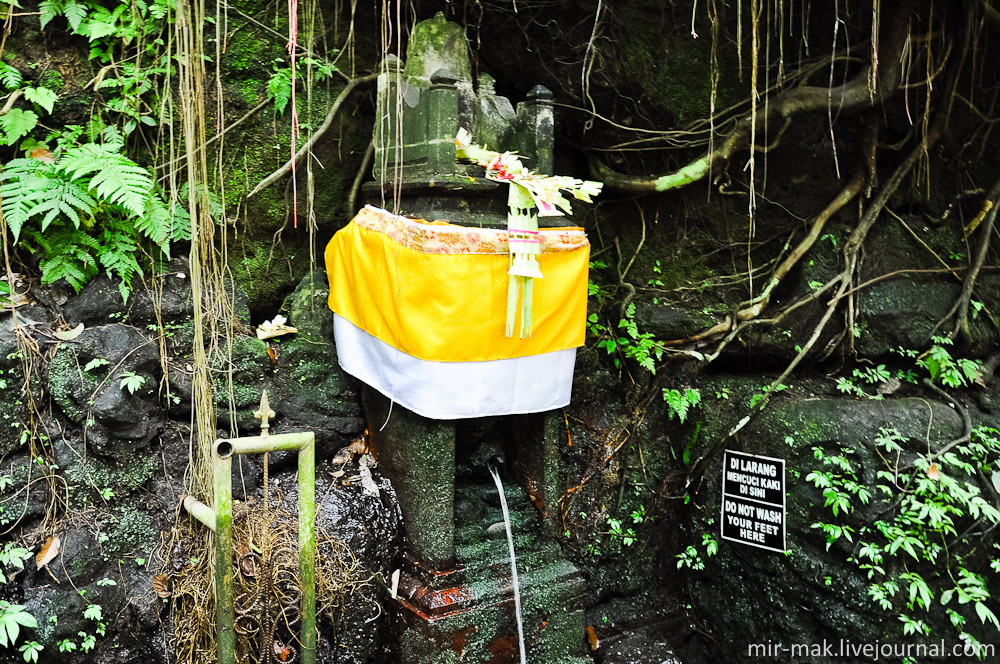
x,y
451,307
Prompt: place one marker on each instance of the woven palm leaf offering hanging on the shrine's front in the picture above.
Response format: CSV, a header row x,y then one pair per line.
x,y
531,195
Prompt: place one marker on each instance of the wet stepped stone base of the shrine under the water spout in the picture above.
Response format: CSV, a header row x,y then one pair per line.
x,y
466,613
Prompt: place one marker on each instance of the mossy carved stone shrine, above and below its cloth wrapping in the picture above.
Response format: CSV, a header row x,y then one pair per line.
x,y
455,593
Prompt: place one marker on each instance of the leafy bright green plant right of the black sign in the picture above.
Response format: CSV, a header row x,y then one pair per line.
x,y
914,558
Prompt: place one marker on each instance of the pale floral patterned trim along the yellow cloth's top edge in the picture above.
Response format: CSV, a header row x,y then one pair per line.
x,y
445,238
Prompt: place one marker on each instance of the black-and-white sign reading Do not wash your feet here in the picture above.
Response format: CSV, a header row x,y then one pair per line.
x,y
753,500
